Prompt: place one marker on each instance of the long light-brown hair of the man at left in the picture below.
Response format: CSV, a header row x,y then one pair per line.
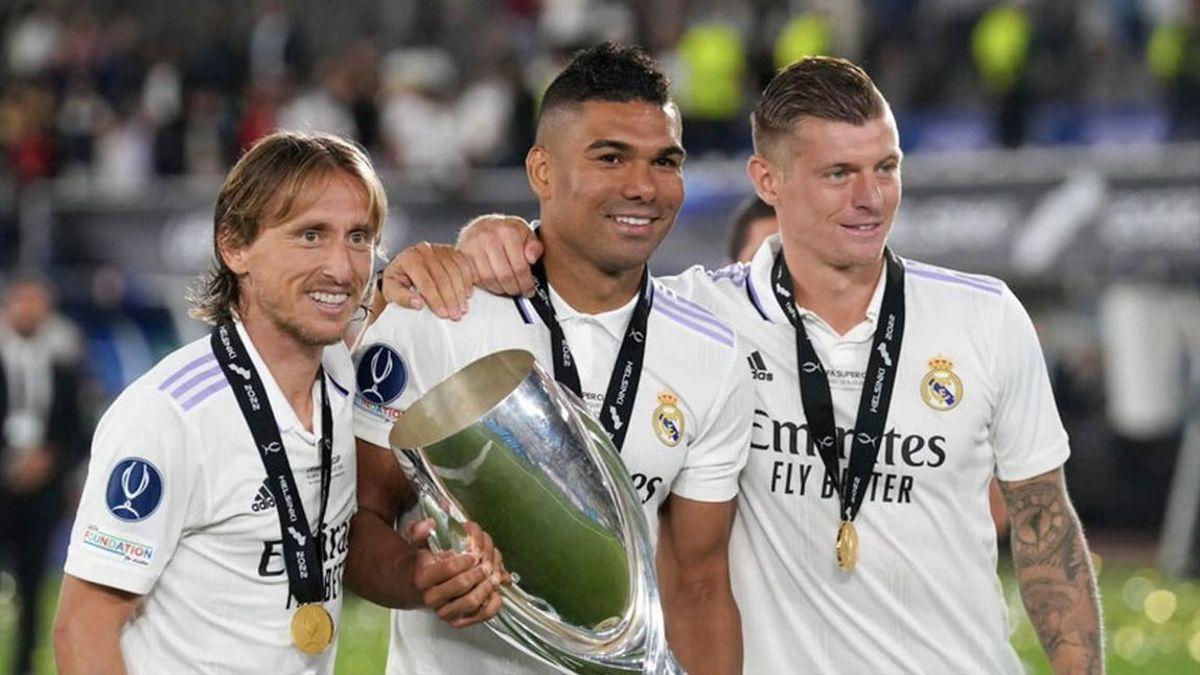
x,y
267,186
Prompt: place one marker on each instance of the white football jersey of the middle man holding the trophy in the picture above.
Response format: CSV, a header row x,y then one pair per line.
x,y
692,366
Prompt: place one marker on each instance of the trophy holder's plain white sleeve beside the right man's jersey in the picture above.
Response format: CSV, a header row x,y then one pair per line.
x,y
721,450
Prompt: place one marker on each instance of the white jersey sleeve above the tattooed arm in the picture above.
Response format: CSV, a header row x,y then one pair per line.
x,y
1028,434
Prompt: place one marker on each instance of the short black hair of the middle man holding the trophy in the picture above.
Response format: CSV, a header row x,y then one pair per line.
x,y
608,73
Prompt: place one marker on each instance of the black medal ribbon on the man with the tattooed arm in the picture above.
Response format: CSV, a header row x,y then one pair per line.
x,y
878,385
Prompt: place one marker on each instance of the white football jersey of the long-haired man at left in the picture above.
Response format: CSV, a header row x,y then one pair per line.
x,y
176,509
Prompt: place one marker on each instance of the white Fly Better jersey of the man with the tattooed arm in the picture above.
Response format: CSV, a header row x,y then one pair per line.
x,y
973,399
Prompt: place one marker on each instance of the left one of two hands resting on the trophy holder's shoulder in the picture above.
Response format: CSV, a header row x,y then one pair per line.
x,y
434,274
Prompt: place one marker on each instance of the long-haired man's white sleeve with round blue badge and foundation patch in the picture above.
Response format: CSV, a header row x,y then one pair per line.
x,y
140,493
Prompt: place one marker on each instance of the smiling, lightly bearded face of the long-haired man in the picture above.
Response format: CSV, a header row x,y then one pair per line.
x,y
304,277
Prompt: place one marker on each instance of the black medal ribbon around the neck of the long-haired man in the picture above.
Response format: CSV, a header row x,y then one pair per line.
x,y
302,549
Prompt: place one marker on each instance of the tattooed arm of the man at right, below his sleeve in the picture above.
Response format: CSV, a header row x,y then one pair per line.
x,y
1055,574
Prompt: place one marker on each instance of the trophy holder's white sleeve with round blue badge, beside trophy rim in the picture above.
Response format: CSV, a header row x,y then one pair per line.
x,y
400,357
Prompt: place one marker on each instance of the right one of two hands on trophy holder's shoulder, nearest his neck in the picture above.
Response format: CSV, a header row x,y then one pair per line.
x,y
502,249
